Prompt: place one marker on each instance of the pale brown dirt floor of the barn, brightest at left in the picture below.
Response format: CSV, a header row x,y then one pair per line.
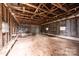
x,y
41,45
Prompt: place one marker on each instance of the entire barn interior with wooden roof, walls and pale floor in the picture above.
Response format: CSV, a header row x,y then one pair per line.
x,y
39,29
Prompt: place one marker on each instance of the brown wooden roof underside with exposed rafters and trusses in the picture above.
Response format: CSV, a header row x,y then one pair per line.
x,y
40,13
